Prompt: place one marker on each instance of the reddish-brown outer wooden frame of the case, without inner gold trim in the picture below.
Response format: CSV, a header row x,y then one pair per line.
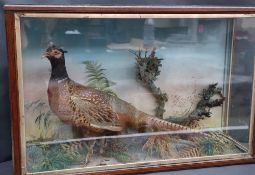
x,y
11,10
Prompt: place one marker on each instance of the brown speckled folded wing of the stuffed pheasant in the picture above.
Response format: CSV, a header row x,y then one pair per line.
x,y
94,110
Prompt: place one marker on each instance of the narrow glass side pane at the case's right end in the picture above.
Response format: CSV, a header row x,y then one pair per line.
x,y
242,79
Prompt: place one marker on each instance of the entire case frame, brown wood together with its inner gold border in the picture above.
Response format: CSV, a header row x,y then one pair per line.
x,y
12,14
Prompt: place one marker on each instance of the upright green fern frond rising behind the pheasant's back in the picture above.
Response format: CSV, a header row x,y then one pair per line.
x,y
97,78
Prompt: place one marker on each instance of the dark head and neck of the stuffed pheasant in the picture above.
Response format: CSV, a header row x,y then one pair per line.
x,y
56,56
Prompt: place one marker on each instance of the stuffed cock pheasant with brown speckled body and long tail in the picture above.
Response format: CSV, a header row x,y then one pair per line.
x,y
94,110
